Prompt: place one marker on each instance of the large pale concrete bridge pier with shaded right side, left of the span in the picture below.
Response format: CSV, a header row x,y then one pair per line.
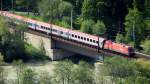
x,y
48,44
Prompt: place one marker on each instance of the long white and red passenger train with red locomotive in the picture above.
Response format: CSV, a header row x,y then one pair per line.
x,y
74,35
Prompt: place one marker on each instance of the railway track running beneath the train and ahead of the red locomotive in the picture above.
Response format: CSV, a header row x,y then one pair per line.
x,y
103,52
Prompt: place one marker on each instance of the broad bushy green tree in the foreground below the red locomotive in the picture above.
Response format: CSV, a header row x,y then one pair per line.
x,y
121,69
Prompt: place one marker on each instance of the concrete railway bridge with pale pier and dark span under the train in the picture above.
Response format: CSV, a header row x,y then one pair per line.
x,y
58,48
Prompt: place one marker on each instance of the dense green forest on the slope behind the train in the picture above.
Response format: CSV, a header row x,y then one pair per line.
x,y
124,21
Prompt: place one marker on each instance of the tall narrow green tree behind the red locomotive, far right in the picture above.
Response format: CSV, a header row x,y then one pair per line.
x,y
134,27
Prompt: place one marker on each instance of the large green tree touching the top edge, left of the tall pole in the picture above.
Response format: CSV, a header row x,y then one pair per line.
x,y
49,9
